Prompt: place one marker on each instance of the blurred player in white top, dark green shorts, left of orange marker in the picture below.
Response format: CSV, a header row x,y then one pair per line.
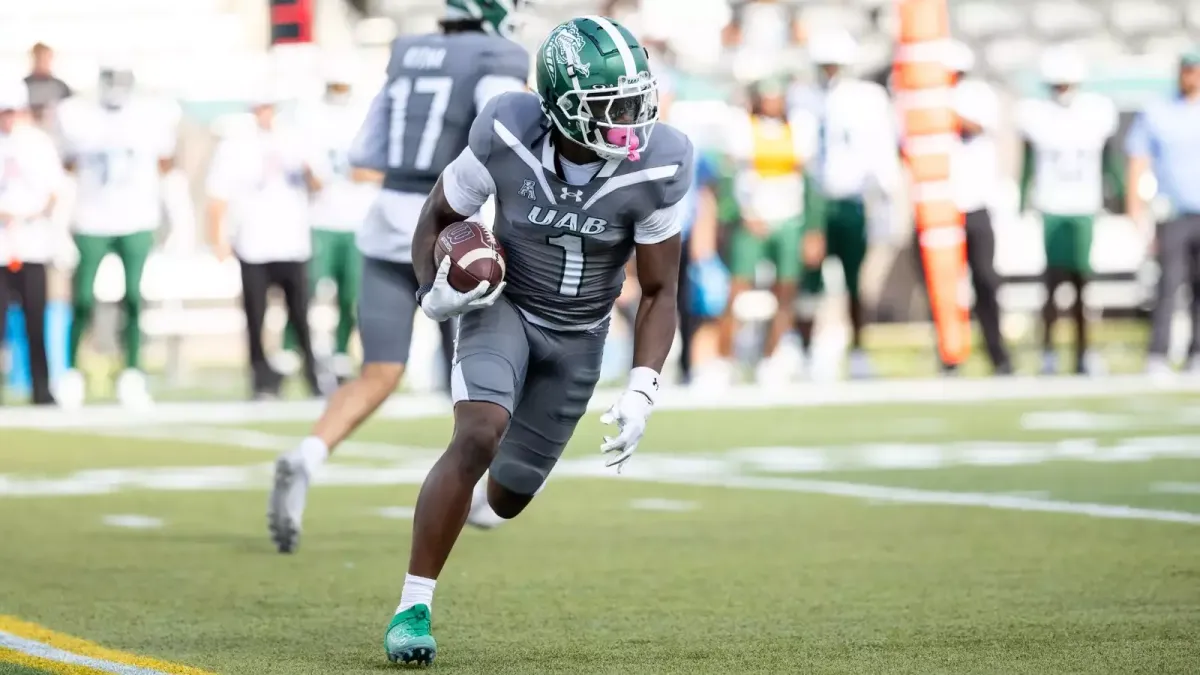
x,y
857,158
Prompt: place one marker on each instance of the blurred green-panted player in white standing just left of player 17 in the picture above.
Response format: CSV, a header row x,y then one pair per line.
x,y
340,208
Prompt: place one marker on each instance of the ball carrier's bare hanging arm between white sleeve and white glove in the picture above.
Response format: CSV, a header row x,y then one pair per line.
x,y
658,274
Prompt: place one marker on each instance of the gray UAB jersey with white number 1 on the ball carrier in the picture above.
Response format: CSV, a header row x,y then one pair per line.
x,y
567,246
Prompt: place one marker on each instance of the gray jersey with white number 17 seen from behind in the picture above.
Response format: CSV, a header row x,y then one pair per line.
x,y
431,95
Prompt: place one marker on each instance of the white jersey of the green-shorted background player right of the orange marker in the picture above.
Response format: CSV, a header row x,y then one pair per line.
x,y
1069,152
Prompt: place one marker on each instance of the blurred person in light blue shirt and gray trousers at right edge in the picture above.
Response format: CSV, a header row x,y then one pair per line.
x,y
1165,142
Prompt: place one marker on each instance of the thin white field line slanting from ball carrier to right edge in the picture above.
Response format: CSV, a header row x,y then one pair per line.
x,y
934,498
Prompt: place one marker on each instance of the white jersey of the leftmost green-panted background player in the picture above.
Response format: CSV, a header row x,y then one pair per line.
x,y
116,154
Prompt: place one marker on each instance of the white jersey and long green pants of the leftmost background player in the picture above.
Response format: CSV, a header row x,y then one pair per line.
x,y
116,154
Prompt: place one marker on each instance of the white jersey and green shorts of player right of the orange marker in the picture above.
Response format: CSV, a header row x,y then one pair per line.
x,y
1065,169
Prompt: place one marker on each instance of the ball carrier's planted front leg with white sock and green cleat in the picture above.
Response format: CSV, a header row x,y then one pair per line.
x,y
490,369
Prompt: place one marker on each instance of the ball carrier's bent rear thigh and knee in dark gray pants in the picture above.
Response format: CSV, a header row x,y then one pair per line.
x,y
563,373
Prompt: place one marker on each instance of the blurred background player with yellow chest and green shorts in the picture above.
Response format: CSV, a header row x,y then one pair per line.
x,y
776,199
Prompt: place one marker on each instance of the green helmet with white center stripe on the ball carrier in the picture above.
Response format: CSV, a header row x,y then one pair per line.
x,y
596,86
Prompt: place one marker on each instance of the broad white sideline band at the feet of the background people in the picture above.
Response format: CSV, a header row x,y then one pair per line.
x,y
422,407
